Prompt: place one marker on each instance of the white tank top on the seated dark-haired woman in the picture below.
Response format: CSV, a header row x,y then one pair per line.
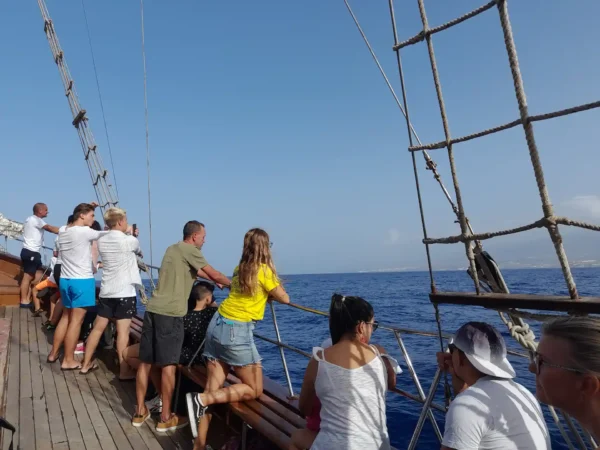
x,y
352,405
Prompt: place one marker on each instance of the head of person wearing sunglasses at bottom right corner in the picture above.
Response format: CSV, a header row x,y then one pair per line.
x,y
567,369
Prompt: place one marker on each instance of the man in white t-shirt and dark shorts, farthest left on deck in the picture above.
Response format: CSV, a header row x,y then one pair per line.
x,y
31,257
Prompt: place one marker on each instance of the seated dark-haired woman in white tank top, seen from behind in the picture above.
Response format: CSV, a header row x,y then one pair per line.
x,y
350,379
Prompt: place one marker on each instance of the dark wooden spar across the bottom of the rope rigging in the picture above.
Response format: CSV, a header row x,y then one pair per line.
x,y
583,305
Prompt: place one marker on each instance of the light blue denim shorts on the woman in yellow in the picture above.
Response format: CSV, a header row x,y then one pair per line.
x,y
231,342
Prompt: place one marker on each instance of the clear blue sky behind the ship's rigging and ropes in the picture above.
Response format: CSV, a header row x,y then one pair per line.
x,y
272,114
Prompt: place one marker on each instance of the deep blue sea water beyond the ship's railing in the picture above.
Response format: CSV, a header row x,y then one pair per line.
x,y
401,300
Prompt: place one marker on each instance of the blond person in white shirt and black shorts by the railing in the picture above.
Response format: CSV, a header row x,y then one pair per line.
x,y
120,279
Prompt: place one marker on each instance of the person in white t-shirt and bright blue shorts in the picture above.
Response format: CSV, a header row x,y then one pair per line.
x,y
77,282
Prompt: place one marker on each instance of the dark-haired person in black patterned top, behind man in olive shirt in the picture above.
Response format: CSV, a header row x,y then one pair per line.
x,y
201,309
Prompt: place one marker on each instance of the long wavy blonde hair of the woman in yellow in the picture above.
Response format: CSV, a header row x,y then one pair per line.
x,y
257,251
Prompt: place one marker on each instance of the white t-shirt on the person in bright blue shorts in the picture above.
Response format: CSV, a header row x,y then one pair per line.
x,y
75,248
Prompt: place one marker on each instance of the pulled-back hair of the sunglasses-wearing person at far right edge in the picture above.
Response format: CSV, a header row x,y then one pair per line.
x,y
583,335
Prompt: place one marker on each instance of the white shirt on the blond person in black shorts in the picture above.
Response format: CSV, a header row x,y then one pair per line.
x,y
120,273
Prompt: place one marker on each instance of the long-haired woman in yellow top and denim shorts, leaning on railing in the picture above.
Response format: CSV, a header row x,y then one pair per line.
x,y
229,338
